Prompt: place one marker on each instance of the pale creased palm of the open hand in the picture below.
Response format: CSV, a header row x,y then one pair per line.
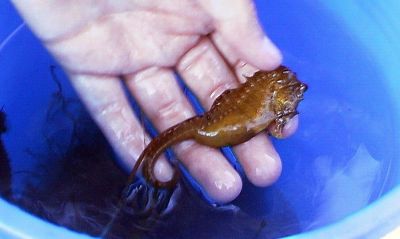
x,y
115,39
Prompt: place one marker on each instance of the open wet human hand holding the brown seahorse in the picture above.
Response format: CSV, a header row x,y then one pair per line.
x,y
101,44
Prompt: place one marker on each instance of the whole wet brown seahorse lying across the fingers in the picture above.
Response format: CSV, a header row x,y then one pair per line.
x,y
267,100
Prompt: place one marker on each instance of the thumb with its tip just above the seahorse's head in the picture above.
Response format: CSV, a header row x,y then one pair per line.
x,y
239,35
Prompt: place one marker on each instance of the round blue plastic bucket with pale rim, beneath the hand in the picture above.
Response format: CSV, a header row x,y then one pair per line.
x,y
340,170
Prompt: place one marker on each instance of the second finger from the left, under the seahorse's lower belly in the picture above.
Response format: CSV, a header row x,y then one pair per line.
x,y
165,104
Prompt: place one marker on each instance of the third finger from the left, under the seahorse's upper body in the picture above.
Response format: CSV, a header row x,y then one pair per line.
x,y
206,73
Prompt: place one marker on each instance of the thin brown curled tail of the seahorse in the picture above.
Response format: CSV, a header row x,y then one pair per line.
x,y
182,131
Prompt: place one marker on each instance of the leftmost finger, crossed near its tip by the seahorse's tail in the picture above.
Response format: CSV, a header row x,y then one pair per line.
x,y
104,98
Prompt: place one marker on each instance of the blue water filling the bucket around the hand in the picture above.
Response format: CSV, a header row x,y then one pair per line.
x,y
339,161
